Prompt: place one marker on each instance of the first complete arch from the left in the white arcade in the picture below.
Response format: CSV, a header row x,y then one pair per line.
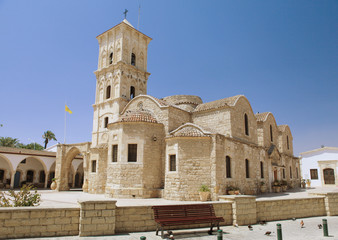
x,y
28,172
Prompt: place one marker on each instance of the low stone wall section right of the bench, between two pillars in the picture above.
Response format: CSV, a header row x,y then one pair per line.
x,y
270,210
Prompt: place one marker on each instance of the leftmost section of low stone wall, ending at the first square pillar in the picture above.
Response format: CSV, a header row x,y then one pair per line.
x,y
18,222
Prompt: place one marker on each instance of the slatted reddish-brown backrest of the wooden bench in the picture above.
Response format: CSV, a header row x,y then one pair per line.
x,y
183,211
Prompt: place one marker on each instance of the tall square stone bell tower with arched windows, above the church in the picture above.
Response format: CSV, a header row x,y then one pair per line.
x,y
121,75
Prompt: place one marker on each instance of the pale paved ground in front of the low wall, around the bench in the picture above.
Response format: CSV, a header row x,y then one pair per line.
x,y
291,230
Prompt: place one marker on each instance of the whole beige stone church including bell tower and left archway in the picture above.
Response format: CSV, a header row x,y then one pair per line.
x,y
145,147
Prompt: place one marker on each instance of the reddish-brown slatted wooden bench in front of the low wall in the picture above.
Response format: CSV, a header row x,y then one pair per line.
x,y
173,215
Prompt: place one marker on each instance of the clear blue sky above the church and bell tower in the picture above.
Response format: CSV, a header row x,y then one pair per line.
x,y
282,55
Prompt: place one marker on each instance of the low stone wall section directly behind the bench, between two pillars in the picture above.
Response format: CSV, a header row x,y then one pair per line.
x,y
141,218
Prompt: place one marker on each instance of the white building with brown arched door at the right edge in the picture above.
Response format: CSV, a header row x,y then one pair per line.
x,y
320,166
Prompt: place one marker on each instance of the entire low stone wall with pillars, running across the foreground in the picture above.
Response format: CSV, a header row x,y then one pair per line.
x,y
95,218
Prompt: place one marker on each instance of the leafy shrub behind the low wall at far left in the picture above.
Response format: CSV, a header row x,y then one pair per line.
x,y
22,198
